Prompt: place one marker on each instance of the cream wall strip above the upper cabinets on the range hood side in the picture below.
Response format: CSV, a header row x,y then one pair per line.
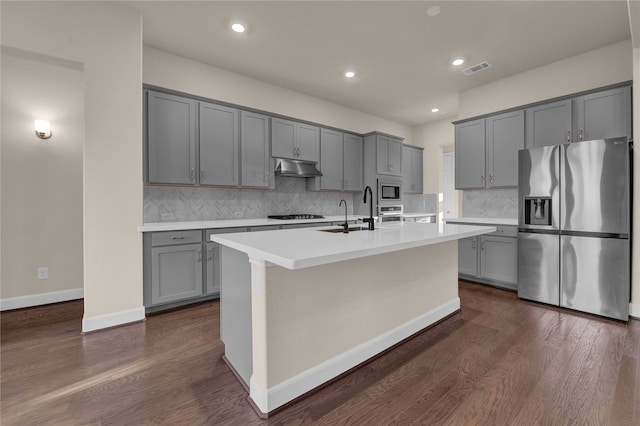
x,y
174,72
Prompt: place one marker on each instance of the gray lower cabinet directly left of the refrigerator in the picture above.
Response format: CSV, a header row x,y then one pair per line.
x,y
491,258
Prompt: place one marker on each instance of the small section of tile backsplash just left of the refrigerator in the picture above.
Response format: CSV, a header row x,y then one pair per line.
x,y
500,203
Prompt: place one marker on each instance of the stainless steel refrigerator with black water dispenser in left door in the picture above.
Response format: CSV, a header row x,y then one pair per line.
x,y
574,226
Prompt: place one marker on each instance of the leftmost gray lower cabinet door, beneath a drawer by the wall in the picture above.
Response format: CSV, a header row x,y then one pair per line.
x,y
176,272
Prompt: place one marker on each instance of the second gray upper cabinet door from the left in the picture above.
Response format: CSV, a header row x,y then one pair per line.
x,y
218,145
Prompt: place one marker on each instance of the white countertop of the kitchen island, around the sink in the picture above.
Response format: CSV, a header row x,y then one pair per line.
x,y
302,248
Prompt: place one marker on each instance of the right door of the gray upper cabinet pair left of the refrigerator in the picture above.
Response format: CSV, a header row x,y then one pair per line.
x,y
505,137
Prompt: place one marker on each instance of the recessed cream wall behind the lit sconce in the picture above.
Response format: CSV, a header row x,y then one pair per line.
x,y
41,179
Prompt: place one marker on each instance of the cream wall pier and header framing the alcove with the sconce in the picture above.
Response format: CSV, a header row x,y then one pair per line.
x,y
107,39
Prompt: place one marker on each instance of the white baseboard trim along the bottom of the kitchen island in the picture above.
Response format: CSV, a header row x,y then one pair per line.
x,y
267,400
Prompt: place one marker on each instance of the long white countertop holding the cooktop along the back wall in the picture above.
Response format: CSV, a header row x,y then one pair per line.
x,y
232,223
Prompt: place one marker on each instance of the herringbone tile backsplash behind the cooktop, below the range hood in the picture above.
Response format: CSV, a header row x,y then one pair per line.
x,y
167,204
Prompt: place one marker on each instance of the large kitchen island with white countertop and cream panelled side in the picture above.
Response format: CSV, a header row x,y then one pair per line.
x,y
300,307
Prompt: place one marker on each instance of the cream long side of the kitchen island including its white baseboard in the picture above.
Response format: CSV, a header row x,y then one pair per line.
x,y
323,316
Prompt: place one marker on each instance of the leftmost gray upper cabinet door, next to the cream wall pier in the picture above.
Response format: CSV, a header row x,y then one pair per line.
x,y
171,139
